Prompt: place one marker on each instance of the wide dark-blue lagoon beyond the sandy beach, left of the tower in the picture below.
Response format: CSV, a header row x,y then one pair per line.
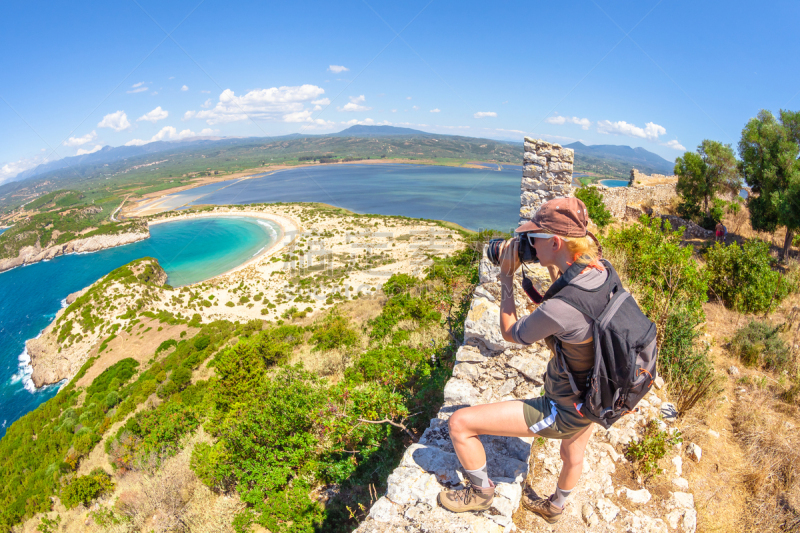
x,y
474,198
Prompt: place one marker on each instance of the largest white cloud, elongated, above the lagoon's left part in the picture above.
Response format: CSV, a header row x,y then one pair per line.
x,y
266,104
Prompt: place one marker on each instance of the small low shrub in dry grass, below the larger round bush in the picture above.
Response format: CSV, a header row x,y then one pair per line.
x,y
760,344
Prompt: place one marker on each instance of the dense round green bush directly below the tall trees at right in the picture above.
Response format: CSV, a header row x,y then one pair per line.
x,y
742,277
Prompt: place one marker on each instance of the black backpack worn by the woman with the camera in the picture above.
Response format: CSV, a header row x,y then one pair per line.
x,y
624,343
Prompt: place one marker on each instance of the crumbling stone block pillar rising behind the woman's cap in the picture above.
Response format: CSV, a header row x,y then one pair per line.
x,y
546,174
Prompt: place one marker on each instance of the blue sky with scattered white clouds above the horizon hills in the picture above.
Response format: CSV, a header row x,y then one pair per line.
x,y
663,75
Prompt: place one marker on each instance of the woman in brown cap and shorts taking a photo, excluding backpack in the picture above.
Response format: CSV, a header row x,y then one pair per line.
x,y
559,235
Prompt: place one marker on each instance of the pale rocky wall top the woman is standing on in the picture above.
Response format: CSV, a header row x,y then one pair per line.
x,y
489,369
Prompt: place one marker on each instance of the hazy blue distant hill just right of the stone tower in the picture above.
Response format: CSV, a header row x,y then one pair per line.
x,y
618,159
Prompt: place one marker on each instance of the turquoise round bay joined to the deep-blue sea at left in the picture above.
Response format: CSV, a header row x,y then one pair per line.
x,y
189,250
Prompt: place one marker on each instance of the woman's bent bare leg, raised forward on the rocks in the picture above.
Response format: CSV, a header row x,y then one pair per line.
x,y
504,419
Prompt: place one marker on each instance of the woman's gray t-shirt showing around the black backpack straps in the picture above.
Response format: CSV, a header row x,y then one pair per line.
x,y
558,318
